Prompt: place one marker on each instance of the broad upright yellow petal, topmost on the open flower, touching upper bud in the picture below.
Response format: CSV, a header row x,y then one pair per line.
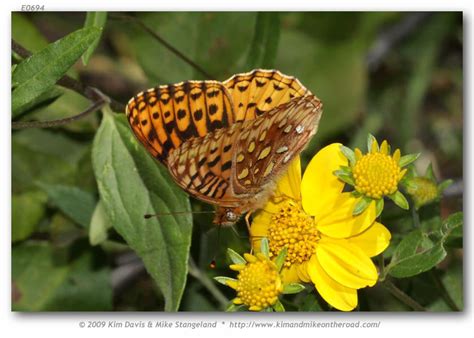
x,y
320,187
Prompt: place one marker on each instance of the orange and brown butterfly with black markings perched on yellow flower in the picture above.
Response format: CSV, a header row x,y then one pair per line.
x,y
227,143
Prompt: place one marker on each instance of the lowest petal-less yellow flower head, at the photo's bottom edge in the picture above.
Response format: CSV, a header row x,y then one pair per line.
x,y
258,282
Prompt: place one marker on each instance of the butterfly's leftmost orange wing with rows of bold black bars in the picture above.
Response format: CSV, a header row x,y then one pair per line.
x,y
164,117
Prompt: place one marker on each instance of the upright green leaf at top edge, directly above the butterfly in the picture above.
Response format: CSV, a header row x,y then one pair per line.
x,y
264,45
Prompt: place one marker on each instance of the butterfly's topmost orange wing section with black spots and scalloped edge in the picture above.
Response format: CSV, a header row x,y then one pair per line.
x,y
260,90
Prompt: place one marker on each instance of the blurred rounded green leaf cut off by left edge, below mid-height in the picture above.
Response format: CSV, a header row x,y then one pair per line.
x,y
27,210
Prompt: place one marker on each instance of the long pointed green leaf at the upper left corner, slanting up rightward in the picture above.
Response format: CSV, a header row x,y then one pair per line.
x,y
37,74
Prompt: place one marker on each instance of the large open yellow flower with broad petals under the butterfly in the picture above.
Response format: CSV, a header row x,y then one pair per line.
x,y
312,218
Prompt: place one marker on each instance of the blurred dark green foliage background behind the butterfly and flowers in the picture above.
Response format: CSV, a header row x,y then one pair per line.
x,y
396,75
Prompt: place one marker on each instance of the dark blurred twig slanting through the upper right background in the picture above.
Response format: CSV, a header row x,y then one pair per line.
x,y
388,39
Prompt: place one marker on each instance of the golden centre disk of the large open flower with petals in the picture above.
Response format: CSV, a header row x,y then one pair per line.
x,y
292,228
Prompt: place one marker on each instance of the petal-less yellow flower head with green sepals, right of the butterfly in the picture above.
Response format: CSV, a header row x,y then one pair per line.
x,y
375,174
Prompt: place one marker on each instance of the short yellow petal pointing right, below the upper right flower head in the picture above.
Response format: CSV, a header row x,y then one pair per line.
x,y
372,241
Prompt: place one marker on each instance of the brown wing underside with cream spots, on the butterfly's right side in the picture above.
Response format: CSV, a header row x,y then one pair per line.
x,y
268,143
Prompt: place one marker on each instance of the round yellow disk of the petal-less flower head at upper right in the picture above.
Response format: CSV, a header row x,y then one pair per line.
x,y
376,174
